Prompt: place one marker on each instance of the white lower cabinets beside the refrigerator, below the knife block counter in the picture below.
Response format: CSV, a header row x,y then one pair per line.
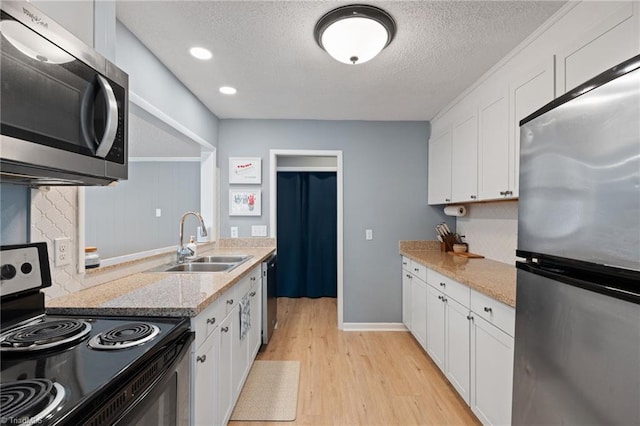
x,y
469,336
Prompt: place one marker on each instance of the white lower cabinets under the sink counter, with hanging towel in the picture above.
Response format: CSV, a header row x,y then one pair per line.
x,y
221,359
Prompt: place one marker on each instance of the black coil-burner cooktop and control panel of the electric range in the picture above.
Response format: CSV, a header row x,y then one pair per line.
x,y
74,370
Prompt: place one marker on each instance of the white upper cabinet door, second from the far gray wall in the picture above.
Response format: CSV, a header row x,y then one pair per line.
x,y
464,157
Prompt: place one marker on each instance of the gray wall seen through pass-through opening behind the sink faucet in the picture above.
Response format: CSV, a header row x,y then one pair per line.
x,y
121,220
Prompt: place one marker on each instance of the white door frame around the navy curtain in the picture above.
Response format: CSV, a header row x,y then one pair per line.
x,y
312,161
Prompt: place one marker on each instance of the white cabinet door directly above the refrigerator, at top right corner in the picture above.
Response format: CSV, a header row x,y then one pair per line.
x,y
613,40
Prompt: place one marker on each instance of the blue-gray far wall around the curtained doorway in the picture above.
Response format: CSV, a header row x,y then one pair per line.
x,y
385,189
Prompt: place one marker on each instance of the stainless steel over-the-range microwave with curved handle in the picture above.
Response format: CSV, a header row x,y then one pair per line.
x,y
63,106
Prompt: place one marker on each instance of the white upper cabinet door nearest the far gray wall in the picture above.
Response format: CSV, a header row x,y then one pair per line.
x,y
439,184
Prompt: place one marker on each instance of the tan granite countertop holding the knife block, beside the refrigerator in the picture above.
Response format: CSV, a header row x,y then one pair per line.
x,y
492,278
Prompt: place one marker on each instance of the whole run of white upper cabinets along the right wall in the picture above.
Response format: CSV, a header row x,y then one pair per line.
x,y
474,154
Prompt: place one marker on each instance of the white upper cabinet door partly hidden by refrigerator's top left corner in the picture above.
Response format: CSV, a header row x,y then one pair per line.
x,y
528,92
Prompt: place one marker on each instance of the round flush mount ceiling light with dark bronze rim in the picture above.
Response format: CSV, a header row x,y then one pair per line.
x,y
356,33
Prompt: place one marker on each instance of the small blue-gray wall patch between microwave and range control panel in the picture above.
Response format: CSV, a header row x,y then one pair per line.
x,y
15,201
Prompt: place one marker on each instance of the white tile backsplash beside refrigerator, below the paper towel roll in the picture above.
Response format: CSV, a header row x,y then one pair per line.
x,y
491,229
